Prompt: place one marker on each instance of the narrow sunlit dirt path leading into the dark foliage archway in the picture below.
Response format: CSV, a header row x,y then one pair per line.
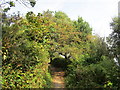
x,y
57,77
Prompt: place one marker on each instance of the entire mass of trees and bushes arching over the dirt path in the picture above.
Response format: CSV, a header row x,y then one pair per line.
x,y
30,43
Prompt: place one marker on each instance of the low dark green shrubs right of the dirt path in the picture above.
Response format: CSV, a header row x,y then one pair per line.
x,y
101,75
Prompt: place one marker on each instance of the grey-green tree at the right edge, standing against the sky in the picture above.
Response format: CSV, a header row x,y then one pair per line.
x,y
114,38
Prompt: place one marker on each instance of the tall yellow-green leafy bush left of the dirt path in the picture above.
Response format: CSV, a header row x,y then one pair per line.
x,y
25,58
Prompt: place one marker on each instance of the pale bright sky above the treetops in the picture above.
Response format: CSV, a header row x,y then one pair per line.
x,y
98,13
